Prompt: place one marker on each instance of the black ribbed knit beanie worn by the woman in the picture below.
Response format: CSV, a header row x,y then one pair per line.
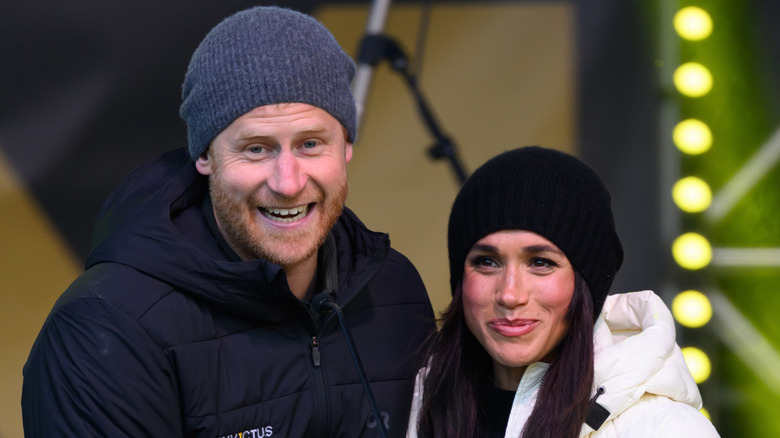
x,y
550,193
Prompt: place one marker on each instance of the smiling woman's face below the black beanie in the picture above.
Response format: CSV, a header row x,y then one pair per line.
x,y
517,287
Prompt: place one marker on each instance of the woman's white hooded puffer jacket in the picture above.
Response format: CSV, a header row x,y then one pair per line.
x,y
648,389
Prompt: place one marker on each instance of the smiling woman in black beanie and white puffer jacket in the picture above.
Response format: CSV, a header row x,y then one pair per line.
x,y
525,348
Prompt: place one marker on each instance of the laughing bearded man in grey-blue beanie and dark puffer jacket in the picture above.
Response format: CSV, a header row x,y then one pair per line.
x,y
193,316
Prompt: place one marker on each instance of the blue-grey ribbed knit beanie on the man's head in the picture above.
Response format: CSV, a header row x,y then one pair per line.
x,y
262,56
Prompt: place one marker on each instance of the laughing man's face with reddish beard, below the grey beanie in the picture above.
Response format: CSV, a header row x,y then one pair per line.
x,y
278,180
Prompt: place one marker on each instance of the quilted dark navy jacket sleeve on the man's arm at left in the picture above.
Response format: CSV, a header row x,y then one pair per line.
x,y
93,371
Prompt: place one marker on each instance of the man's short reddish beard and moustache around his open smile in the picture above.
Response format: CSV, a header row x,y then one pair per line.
x,y
251,237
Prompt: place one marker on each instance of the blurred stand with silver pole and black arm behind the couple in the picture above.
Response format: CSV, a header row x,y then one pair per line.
x,y
376,47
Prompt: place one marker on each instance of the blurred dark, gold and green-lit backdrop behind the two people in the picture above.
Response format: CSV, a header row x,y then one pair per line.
x,y
675,103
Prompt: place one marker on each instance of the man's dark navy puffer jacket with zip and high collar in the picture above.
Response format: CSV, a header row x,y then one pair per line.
x,y
163,337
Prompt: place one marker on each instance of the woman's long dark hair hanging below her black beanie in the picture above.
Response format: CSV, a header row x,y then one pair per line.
x,y
459,365
